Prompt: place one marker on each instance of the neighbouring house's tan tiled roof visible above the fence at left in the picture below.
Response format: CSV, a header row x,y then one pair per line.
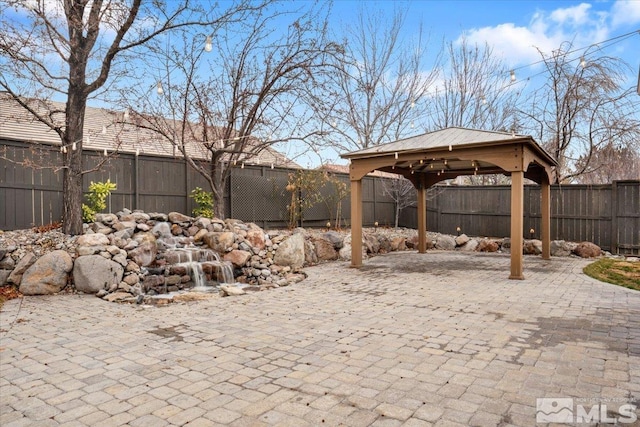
x,y
106,130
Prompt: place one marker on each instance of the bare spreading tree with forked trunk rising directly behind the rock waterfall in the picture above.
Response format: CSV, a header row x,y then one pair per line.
x,y
227,107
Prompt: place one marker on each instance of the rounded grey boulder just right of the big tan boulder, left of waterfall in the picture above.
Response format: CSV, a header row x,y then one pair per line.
x,y
93,273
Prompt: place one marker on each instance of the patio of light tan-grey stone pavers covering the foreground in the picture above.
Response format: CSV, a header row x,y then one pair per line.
x,y
441,339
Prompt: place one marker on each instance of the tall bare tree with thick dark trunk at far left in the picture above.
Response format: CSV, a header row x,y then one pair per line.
x,y
73,49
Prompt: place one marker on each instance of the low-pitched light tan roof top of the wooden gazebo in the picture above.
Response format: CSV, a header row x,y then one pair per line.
x,y
448,138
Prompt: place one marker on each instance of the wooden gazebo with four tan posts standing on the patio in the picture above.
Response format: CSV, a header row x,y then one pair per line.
x,y
445,154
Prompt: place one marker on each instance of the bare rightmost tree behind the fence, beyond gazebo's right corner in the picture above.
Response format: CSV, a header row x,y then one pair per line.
x,y
582,109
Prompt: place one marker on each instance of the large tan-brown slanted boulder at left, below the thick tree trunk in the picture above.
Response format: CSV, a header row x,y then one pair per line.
x,y
48,275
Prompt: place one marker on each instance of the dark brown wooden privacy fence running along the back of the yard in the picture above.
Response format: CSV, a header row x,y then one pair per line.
x,y
608,215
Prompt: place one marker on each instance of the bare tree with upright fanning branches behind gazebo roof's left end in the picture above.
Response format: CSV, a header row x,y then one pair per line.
x,y
377,91
